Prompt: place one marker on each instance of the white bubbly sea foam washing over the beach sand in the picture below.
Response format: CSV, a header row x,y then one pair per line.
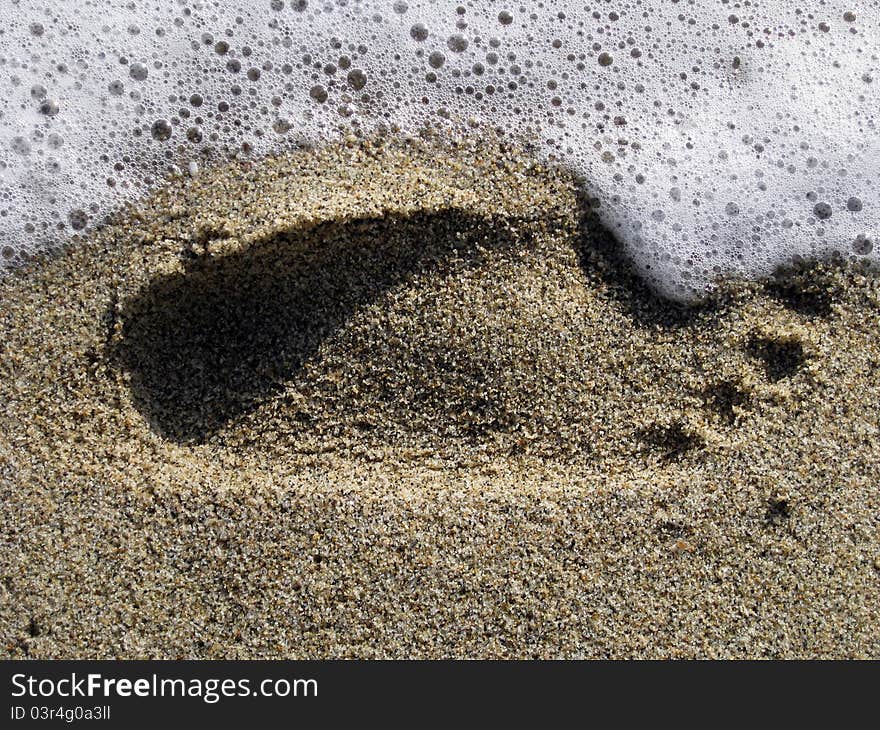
x,y
720,137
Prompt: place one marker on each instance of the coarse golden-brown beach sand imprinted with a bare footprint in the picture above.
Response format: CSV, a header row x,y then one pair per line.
x,y
404,400
